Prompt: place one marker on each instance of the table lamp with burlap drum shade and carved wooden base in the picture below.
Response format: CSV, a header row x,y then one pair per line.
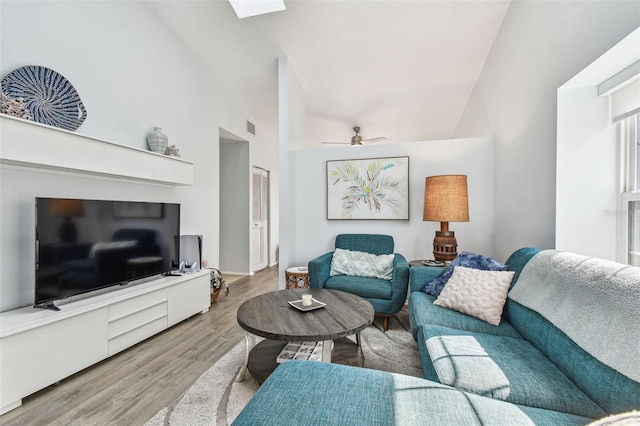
x,y
445,200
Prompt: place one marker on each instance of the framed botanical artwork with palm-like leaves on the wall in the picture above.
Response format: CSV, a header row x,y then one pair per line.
x,y
370,188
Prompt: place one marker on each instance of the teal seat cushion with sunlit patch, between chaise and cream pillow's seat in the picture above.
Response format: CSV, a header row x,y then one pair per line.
x,y
504,368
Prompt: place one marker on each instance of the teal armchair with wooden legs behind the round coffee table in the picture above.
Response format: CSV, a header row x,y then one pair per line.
x,y
386,296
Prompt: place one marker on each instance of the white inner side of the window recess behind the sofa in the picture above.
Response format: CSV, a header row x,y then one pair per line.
x,y
587,170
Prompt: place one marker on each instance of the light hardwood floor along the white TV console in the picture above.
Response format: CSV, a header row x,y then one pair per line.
x,y
132,386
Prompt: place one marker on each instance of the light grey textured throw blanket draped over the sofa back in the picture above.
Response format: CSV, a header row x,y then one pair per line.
x,y
595,302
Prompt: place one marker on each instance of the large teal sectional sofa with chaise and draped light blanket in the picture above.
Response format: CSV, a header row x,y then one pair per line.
x,y
565,352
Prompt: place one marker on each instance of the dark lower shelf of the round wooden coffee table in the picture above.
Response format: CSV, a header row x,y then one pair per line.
x,y
262,358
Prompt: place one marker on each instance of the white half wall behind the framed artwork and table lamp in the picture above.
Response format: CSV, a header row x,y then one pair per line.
x,y
314,235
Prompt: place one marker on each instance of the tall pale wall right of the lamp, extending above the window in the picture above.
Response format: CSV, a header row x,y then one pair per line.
x,y
541,45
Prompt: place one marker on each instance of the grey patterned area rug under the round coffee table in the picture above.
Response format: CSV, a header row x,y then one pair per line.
x,y
216,398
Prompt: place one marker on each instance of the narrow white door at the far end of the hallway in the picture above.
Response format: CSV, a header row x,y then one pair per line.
x,y
260,219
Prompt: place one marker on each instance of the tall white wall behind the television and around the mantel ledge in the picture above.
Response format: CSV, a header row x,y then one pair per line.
x,y
131,73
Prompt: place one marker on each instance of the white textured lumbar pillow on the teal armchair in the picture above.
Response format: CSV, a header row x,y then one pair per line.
x,y
361,264
